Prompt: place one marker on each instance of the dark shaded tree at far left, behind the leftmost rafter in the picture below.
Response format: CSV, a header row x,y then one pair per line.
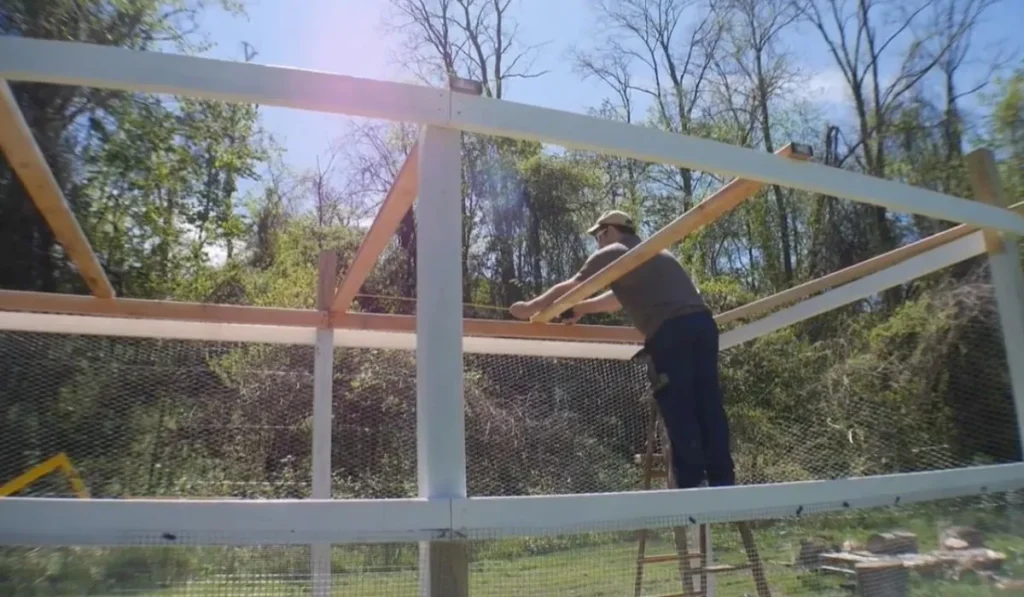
x,y
60,116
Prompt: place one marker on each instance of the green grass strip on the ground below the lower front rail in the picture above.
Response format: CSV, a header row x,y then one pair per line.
x,y
590,565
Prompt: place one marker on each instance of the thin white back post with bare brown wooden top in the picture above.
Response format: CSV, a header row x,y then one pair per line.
x,y
323,393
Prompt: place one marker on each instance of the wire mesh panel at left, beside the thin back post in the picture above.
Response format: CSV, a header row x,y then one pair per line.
x,y
156,418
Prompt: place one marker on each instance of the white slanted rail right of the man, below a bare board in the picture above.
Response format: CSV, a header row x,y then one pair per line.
x,y
928,263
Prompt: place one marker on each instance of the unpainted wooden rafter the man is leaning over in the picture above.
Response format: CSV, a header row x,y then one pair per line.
x,y
728,199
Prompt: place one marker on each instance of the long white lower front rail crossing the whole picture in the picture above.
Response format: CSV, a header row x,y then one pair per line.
x,y
36,522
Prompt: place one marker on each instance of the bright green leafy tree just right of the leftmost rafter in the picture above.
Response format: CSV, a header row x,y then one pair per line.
x,y
162,186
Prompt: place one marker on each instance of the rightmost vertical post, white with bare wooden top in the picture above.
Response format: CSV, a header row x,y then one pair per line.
x,y
1008,280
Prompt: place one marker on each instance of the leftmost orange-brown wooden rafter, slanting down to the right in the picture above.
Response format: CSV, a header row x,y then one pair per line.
x,y
28,162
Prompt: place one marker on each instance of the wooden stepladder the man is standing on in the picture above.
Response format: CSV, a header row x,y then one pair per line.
x,y
684,558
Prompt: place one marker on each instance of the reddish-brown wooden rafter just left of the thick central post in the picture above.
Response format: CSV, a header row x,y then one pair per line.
x,y
397,205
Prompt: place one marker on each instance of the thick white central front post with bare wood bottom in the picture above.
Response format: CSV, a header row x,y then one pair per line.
x,y
440,411
